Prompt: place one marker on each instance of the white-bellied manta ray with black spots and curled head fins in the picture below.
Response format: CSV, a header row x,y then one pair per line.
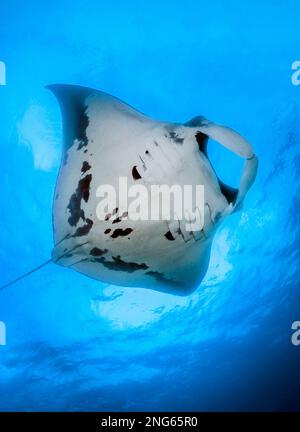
x,y
105,139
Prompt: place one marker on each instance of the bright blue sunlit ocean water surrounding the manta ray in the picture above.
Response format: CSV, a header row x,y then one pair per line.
x,y
76,344
